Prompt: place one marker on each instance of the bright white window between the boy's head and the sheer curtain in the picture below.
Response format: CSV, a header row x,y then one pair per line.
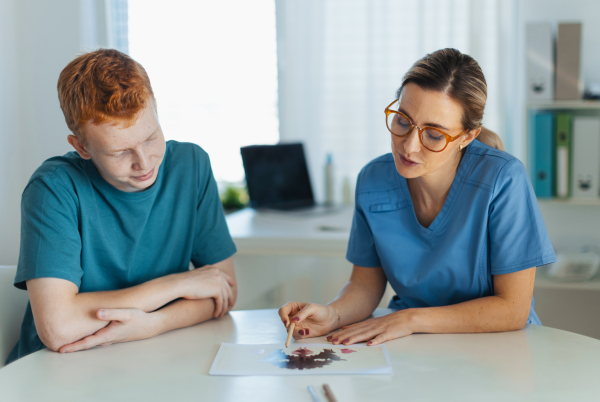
x,y
213,68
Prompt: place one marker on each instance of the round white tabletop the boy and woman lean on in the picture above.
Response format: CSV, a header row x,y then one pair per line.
x,y
534,364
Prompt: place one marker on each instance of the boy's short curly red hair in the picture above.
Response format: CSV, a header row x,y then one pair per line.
x,y
103,86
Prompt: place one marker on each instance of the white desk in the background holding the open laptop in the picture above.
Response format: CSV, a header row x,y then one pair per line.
x,y
285,256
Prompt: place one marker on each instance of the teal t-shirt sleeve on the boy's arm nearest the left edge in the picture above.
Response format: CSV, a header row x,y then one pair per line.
x,y
50,239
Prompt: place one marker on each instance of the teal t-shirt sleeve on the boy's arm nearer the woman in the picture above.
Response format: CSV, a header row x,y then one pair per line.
x,y
212,241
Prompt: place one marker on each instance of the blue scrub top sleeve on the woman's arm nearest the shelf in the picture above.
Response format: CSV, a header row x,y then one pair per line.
x,y
517,233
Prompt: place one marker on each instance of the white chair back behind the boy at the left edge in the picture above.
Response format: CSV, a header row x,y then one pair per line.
x,y
13,302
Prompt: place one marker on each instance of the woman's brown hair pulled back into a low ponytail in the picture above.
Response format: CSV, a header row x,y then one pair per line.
x,y
460,77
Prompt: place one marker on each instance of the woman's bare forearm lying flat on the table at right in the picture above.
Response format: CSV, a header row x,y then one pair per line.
x,y
487,314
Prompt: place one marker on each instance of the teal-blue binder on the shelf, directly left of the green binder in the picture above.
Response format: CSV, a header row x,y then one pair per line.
x,y
541,153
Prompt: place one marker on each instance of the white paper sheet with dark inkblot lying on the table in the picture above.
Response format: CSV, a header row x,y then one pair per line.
x,y
300,359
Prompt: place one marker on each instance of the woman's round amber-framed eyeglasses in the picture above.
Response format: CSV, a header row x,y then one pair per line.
x,y
432,138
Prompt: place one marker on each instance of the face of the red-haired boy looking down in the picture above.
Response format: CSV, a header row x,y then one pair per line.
x,y
127,158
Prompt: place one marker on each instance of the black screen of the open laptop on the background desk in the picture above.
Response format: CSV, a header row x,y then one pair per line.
x,y
277,176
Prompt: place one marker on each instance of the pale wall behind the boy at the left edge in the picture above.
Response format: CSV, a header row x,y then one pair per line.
x,y
37,40
